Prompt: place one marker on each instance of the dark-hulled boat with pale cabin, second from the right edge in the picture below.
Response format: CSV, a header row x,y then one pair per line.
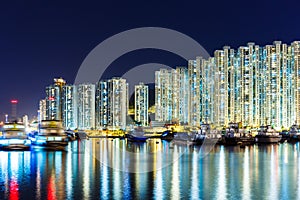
x,y
267,134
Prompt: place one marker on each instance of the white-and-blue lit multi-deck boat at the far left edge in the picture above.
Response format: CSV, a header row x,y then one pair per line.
x,y
14,137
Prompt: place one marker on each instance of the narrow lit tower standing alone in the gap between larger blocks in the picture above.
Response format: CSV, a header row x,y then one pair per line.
x,y
141,103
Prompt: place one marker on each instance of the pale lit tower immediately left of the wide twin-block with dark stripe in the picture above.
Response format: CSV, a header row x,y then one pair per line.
x,y
86,106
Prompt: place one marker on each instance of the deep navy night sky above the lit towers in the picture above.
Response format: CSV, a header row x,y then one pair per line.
x,y
40,40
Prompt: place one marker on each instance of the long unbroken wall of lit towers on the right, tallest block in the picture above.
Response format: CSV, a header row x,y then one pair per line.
x,y
253,85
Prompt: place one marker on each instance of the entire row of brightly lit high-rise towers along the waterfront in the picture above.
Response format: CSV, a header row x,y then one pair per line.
x,y
255,85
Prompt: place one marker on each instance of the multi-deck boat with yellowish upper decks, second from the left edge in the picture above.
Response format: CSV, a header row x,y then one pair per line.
x,y
50,133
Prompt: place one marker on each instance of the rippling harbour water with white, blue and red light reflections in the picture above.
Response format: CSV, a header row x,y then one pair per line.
x,y
81,172
